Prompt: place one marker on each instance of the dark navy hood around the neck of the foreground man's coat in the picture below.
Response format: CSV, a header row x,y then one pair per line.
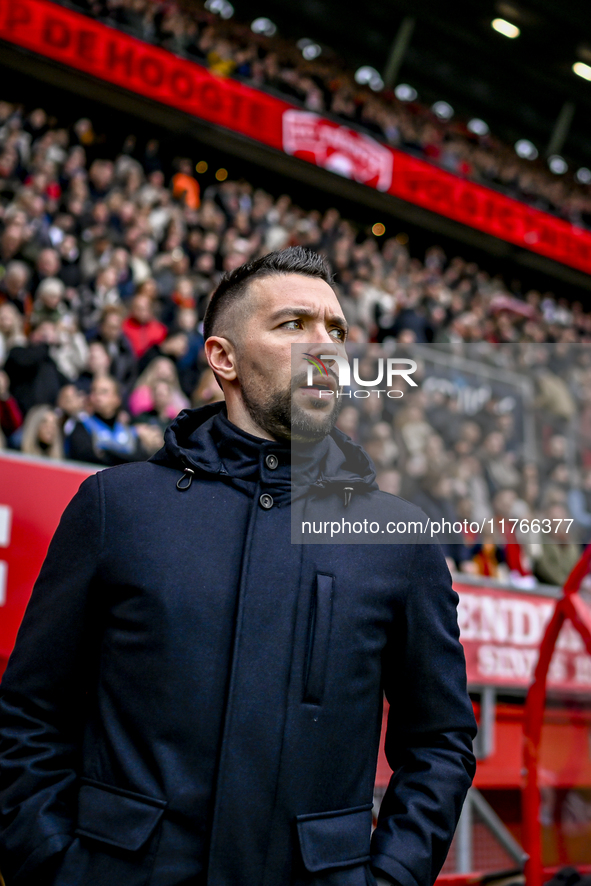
x,y
204,441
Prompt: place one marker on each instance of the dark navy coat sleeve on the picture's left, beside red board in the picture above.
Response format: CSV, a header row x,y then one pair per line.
x,y
42,696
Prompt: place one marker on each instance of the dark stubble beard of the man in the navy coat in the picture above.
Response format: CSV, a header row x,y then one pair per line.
x,y
278,415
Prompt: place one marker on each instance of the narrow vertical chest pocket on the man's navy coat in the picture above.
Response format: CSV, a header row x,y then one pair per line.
x,y
318,638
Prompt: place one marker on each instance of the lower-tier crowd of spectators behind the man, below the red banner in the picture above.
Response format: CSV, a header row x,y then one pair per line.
x,y
105,271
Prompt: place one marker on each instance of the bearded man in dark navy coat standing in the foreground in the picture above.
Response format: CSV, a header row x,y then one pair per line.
x,y
195,700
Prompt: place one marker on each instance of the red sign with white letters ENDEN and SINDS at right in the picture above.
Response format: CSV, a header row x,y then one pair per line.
x,y
501,631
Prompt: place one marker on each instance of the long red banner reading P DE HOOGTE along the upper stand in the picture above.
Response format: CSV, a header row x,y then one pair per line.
x,y
115,57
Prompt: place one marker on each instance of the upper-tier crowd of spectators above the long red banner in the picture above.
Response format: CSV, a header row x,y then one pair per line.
x,y
326,85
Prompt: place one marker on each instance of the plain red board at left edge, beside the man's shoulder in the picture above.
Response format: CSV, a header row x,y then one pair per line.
x,y
33,496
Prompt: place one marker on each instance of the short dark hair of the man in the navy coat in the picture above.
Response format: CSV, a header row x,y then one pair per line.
x,y
234,285
